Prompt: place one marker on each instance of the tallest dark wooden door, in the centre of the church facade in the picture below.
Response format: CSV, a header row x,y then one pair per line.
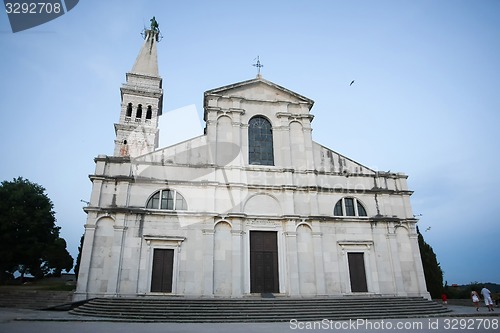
x,y
264,262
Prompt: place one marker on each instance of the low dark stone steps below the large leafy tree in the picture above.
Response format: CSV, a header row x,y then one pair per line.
x,y
33,299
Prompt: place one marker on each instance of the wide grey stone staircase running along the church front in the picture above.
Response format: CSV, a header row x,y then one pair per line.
x,y
183,310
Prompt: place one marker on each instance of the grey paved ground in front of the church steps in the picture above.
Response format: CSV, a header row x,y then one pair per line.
x,y
460,319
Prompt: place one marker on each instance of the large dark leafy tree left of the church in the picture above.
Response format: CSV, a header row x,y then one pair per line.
x,y
29,238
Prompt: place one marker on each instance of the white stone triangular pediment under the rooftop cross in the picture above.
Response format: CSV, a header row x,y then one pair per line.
x,y
259,89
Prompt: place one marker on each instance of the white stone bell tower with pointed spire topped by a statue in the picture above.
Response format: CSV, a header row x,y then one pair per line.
x,y
141,101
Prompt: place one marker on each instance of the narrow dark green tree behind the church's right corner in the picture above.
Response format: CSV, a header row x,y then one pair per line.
x,y
432,269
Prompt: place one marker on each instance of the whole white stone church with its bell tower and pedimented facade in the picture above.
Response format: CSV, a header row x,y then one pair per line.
x,y
253,205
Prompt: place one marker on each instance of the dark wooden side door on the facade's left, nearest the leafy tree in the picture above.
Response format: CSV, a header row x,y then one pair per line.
x,y
163,264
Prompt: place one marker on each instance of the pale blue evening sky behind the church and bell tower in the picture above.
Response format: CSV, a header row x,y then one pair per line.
x,y
425,100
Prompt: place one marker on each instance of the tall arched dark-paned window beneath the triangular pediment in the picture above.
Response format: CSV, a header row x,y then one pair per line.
x,y
260,141
